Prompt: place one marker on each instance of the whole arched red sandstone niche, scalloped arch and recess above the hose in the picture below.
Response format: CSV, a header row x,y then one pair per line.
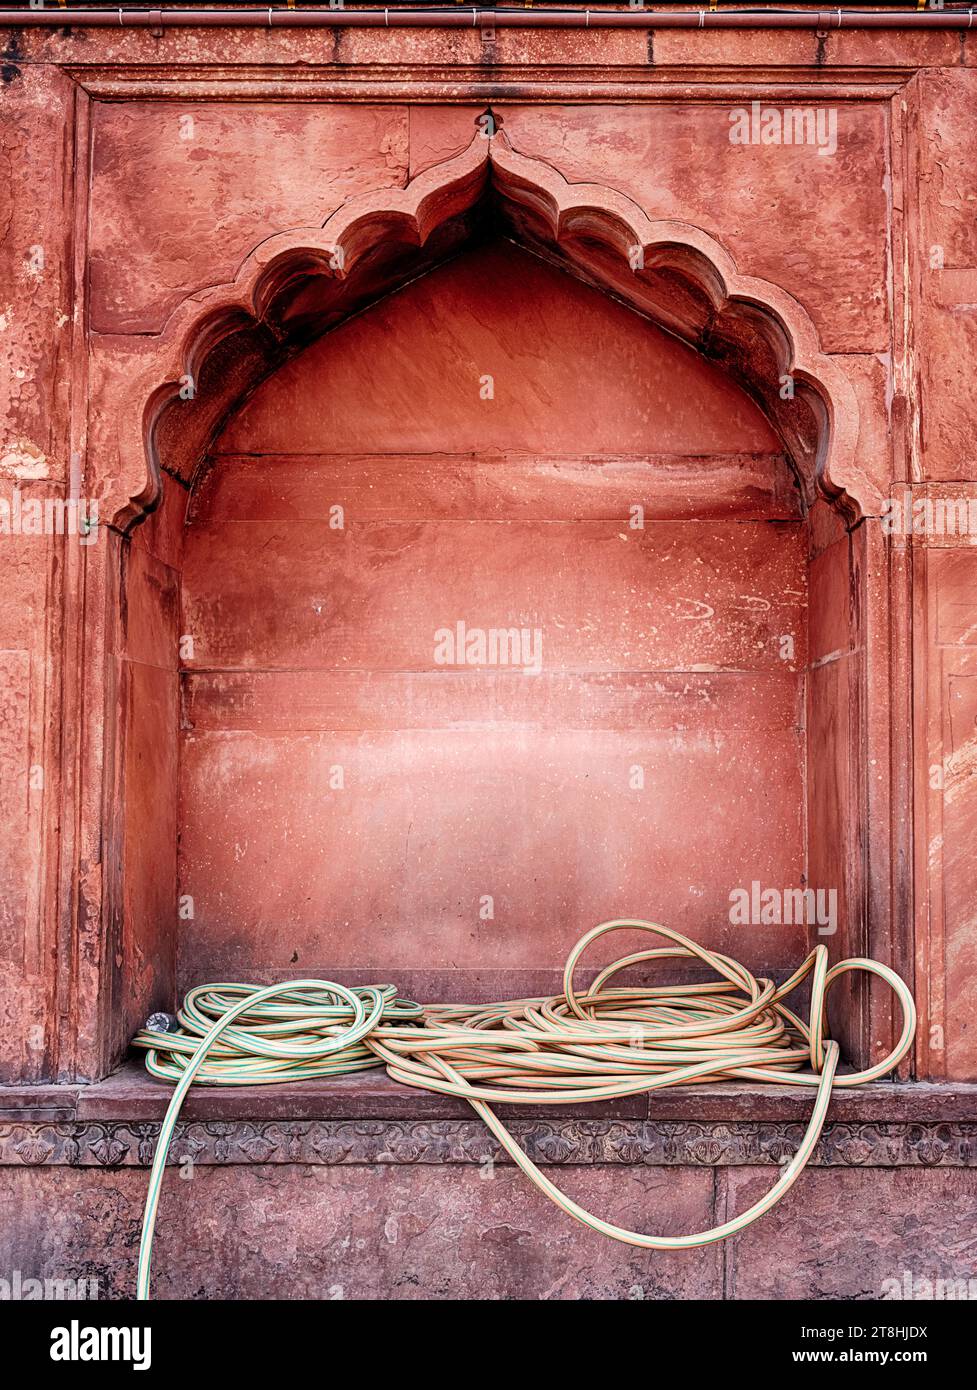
x,y
486,818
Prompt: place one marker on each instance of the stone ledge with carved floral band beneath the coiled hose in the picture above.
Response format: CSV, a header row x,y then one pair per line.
x,y
368,1118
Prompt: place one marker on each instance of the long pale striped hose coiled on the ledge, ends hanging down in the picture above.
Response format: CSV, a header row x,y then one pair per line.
x,y
614,1040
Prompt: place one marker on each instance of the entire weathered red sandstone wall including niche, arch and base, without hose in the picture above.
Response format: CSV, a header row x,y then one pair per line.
x,y
119,216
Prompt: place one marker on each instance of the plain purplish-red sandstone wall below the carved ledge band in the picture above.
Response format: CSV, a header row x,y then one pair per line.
x,y
450,1232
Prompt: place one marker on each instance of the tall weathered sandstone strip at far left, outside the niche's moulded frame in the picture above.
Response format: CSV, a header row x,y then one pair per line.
x,y
37,133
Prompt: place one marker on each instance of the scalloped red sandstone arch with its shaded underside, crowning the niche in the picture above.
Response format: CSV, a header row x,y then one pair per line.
x,y
294,286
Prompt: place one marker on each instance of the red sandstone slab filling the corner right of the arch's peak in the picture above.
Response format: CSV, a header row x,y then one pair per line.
x,y
678,162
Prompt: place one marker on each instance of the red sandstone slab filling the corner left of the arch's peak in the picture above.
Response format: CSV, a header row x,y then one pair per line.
x,y
231,174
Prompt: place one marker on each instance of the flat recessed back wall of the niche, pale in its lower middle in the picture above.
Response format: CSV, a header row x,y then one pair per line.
x,y
655,754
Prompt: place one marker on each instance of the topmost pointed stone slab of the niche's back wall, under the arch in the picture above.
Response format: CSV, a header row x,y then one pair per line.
x,y
488,354
